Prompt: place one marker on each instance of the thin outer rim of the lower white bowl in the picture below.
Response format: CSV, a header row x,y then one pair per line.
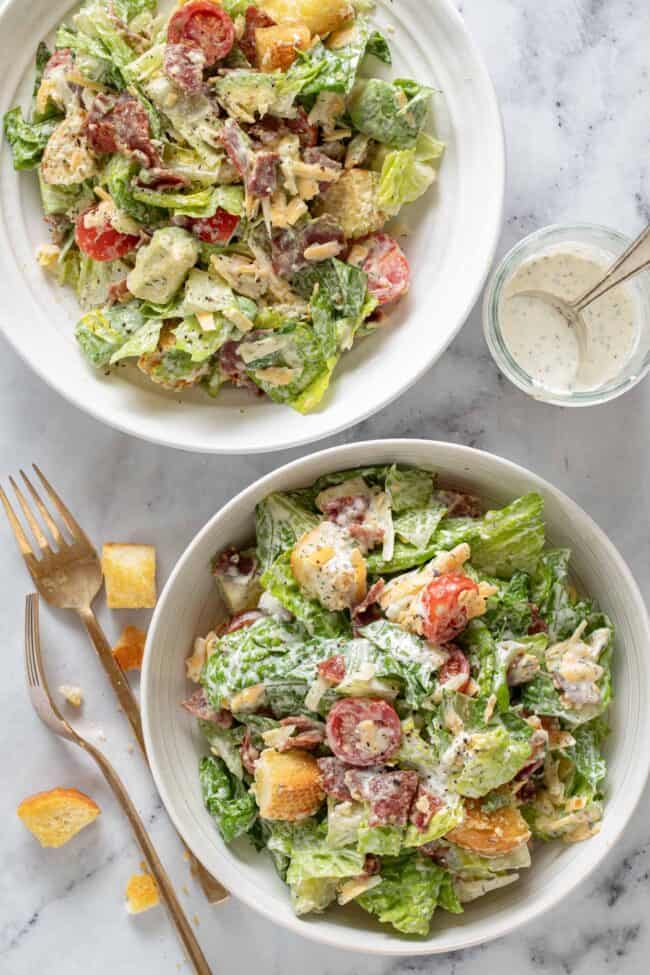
x,y
341,457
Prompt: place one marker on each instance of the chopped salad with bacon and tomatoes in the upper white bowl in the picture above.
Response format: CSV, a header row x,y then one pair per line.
x,y
217,183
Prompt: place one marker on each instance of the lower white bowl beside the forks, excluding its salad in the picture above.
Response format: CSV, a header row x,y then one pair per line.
x,y
187,608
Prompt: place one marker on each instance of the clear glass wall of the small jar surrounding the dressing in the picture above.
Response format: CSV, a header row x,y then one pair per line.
x,y
609,244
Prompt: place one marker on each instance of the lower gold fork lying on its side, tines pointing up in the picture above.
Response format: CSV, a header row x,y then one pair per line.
x,y
50,715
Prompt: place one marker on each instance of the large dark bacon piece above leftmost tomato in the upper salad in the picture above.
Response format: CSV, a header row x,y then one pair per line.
x,y
121,124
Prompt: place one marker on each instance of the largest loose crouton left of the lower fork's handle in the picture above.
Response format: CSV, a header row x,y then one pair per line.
x,y
54,817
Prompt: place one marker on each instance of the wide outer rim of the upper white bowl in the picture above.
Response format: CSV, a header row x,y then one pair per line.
x,y
130,422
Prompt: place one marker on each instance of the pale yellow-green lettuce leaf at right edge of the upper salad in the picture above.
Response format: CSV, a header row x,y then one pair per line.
x,y
406,174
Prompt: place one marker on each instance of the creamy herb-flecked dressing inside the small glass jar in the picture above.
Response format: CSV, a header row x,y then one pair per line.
x,y
538,336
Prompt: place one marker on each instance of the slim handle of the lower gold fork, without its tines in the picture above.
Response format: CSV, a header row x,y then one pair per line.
x,y
158,872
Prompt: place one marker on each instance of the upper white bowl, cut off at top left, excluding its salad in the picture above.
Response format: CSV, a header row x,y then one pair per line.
x,y
455,231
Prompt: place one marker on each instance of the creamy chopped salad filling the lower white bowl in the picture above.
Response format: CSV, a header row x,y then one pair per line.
x,y
406,694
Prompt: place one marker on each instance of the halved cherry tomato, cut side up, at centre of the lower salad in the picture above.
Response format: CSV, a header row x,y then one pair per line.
x,y
363,731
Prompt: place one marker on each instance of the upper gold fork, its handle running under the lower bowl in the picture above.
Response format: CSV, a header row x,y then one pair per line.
x,y
70,578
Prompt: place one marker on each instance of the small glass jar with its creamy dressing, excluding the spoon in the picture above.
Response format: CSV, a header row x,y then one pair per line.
x,y
536,348
